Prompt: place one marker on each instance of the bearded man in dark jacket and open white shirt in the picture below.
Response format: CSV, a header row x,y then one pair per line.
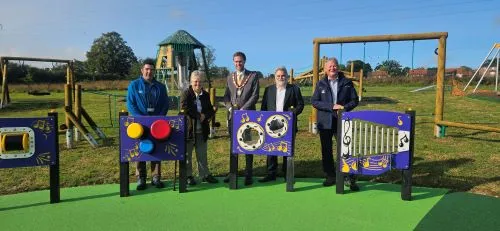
x,y
281,97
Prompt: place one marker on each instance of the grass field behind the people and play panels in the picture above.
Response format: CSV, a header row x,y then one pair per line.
x,y
464,160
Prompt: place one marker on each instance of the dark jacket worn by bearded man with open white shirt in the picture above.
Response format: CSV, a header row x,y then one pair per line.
x,y
293,97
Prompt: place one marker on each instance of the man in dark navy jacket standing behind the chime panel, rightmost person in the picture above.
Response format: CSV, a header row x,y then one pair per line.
x,y
333,92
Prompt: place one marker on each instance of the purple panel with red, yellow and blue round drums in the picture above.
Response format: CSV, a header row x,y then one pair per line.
x,y
152,138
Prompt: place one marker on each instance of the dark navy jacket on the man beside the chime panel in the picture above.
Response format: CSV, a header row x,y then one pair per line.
x,y
322,100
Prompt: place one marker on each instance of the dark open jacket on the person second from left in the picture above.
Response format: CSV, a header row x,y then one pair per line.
x,y
188,104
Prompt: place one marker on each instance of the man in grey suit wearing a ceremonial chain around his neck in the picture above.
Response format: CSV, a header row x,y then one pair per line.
x,y
242,93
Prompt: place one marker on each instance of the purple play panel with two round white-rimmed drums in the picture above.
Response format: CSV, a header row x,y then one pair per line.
x,y
262,133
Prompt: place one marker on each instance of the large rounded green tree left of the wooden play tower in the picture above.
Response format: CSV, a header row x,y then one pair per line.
x,y
110,54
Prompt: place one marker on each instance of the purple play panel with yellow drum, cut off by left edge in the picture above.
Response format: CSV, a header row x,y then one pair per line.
x,y
27,142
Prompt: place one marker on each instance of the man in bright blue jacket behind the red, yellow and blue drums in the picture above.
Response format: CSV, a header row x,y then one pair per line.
x,y
147,97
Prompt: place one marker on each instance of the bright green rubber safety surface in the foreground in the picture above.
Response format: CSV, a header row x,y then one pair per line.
x,y
263,206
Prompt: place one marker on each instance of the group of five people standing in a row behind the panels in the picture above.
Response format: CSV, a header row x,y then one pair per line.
x,y
333,92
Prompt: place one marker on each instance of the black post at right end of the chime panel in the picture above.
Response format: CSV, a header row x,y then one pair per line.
x,y
407,173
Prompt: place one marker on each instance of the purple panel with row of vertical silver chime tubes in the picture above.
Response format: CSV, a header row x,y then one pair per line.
x,y
373,142
